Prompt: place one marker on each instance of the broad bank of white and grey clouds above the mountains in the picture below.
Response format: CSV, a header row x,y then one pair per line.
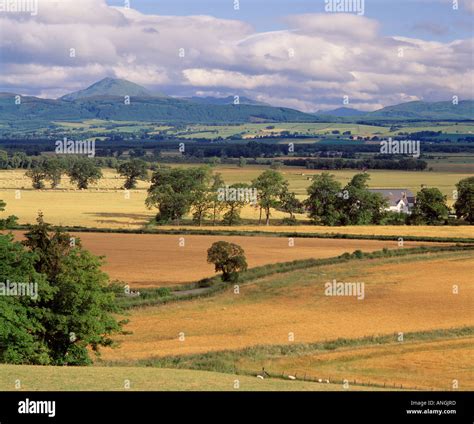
x,y
314,63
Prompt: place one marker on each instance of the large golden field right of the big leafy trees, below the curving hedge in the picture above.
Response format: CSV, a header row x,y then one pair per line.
x,y
401,295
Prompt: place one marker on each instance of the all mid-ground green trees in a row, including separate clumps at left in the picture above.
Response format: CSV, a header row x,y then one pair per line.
x,y
176,192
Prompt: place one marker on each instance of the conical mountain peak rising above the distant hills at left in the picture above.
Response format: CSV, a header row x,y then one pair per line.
x,y
110,87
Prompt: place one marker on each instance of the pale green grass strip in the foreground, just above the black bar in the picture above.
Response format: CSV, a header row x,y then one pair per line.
x,y
34,378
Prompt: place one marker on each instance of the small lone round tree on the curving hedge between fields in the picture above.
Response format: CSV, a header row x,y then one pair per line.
x,y
228,258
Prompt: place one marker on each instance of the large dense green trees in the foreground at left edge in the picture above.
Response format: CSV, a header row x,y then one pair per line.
x,y
71,314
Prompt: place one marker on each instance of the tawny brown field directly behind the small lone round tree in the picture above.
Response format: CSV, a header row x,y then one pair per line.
x,y
145,260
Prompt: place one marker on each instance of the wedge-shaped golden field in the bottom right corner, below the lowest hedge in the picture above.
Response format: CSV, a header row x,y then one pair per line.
x,y
421,365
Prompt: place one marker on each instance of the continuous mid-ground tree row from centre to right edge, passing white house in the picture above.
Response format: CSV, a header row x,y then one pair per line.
x,y
176,192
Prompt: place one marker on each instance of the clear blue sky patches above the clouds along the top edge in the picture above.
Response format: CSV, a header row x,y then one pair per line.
x,y
428,19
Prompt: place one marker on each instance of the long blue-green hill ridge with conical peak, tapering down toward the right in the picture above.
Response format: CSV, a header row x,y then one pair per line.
x,y
105,100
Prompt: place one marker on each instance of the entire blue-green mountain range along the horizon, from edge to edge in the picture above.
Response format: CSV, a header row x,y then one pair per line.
x,y
106,100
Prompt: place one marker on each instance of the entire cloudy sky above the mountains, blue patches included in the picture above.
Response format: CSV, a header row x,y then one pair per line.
x,y
292,53
